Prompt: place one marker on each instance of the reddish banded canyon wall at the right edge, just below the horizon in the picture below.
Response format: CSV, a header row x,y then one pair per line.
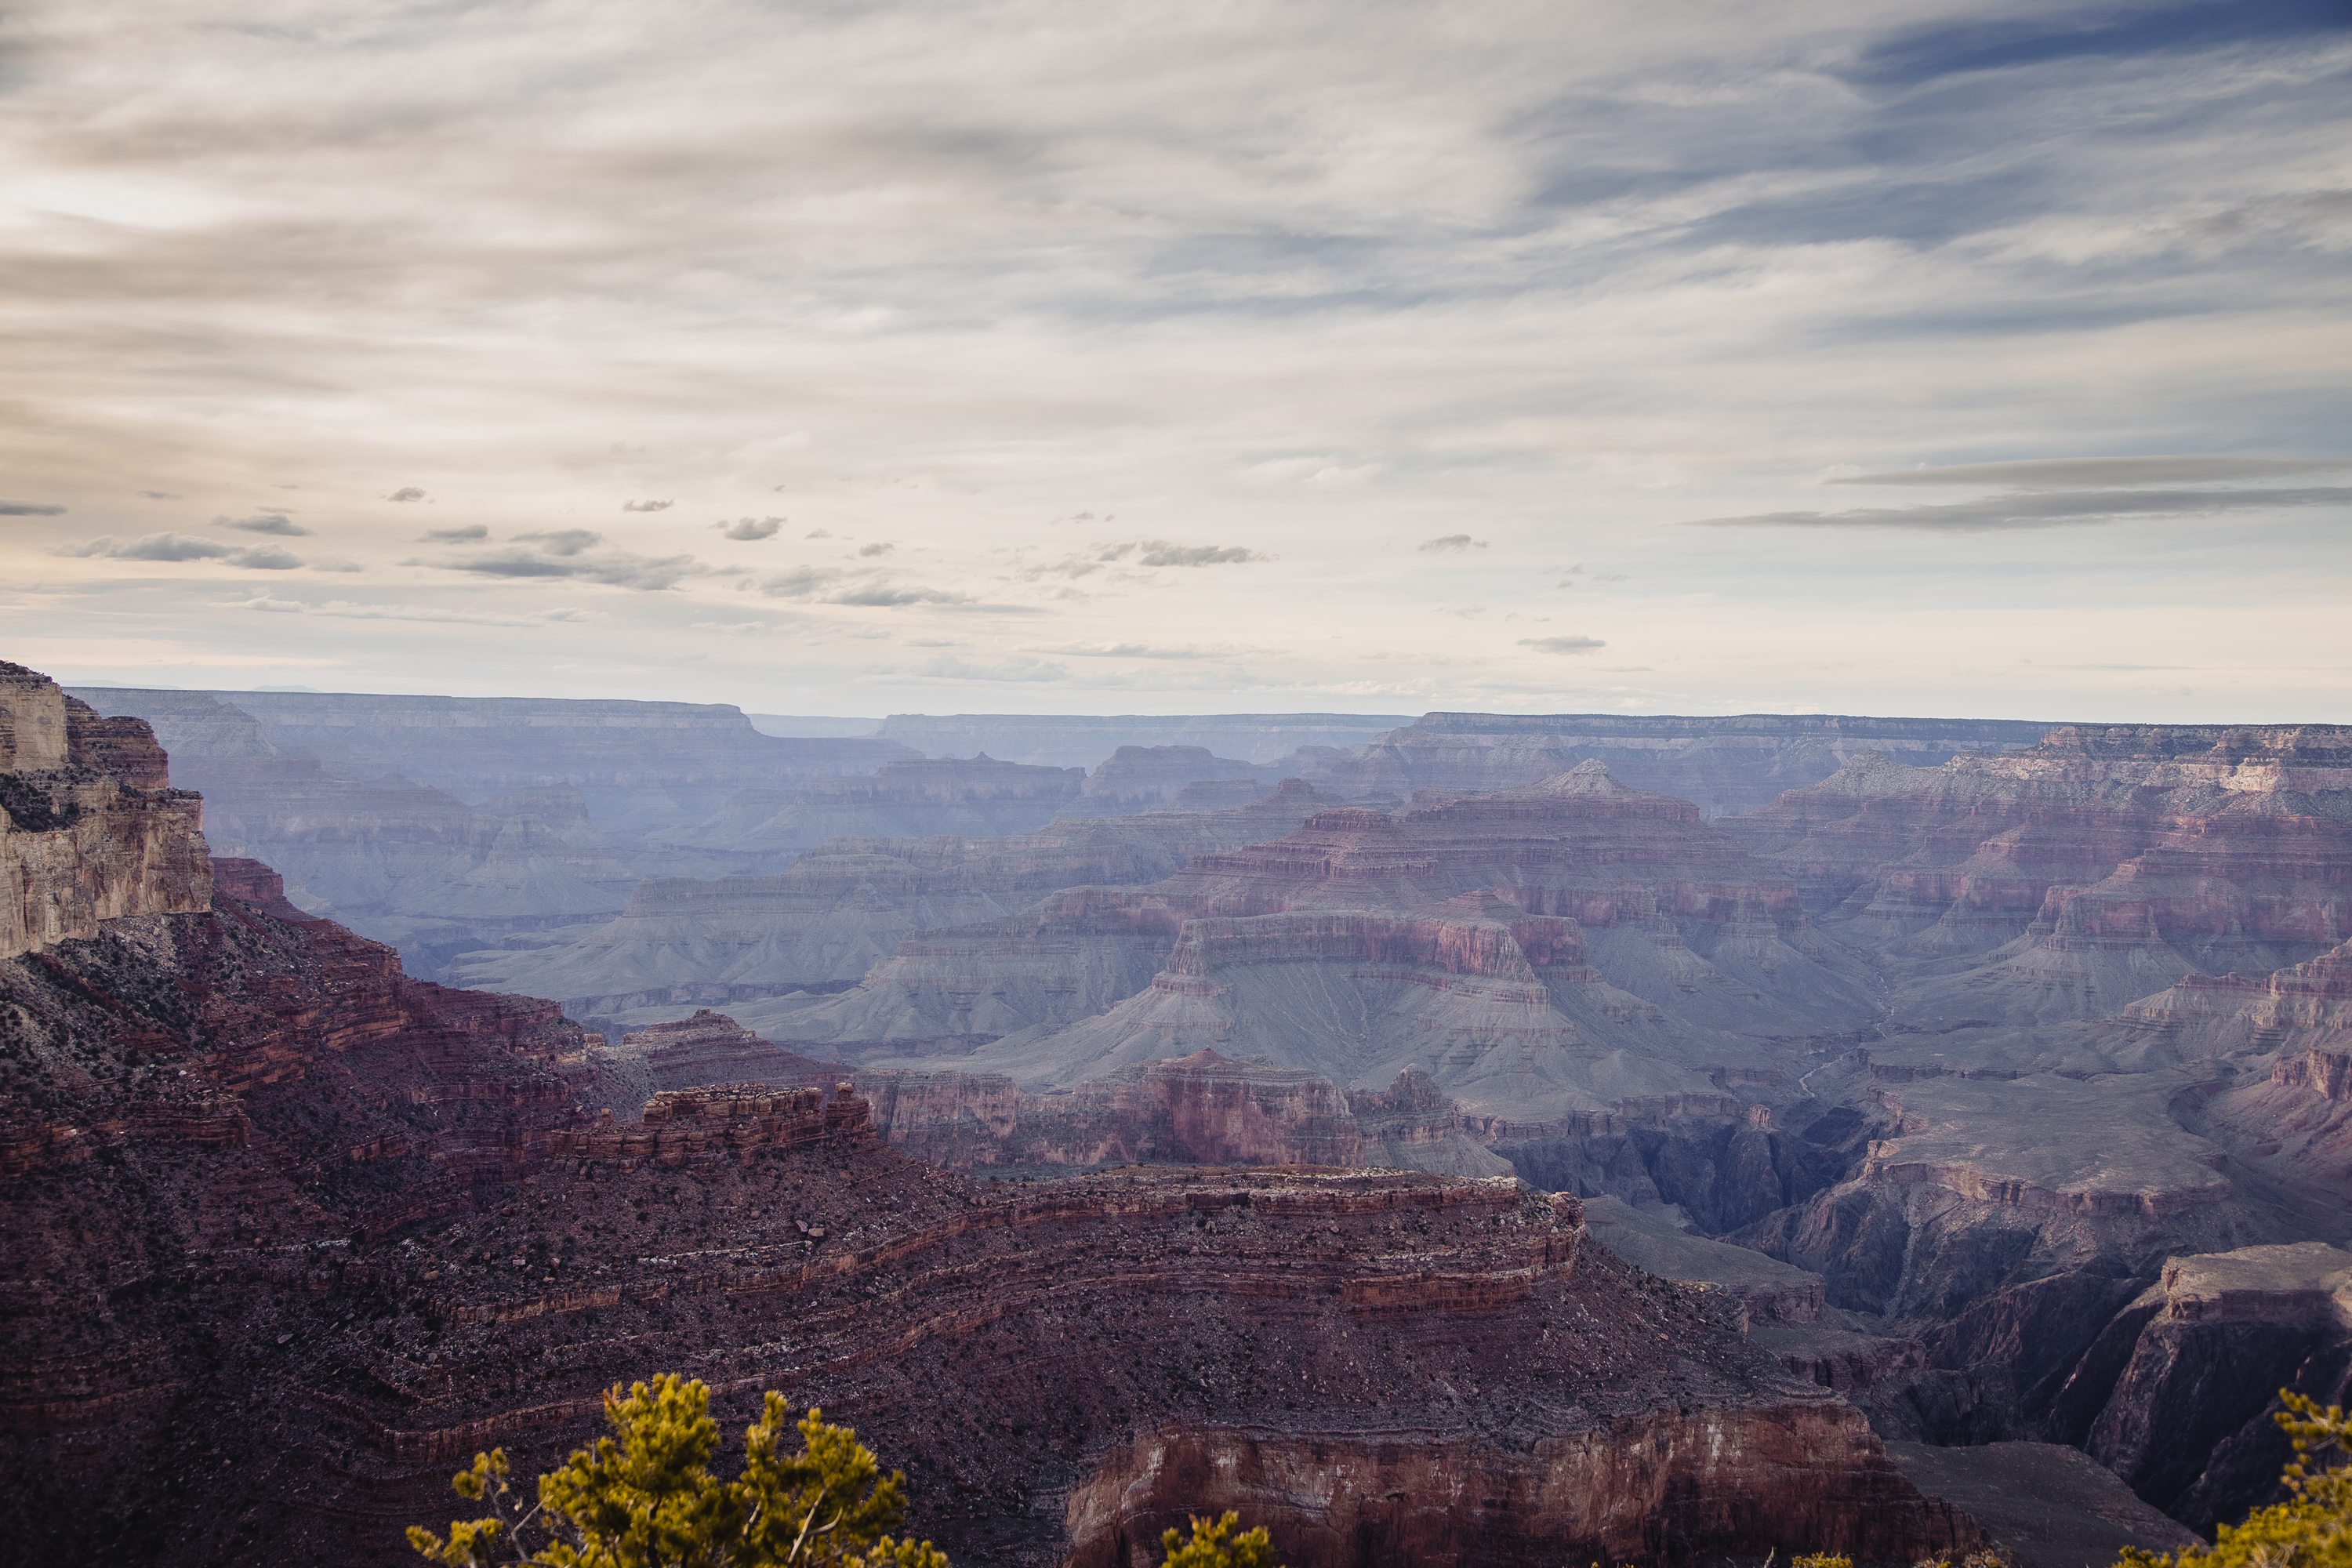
x,y
2085,873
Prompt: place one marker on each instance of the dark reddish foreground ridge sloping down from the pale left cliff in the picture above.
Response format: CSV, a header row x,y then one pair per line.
x,y
293,1233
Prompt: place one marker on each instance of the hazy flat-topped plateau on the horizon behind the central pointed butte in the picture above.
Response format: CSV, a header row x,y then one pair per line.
x,y
1723,765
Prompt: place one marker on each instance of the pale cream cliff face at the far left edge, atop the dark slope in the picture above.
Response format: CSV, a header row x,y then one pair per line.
x,y
91,829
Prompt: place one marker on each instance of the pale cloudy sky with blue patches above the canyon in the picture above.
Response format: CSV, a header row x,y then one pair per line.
x,y
1904,359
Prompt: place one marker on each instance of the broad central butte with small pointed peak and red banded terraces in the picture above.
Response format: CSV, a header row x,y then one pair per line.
x,y
1539,953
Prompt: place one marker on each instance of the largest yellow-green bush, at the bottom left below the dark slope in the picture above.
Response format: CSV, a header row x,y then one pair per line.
x,y
646,1499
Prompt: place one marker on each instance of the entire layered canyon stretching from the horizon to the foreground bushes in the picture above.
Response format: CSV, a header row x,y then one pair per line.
x,y
1902,1113
